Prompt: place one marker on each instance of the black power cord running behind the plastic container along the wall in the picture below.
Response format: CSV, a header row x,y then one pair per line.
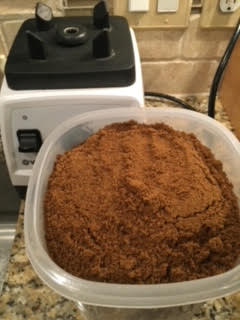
x,y
215,83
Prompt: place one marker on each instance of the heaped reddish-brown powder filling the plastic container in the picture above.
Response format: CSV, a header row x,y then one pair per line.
x,y
141,203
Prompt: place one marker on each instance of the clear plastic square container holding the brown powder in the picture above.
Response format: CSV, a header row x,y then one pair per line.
x,y
70,133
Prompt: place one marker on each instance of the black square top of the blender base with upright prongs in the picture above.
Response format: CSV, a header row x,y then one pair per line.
x,y
71,52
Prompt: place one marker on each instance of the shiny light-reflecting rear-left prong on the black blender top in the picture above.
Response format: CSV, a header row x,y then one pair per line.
x,y
44,17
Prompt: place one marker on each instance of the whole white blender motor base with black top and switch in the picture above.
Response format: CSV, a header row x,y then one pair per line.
x,y
61,67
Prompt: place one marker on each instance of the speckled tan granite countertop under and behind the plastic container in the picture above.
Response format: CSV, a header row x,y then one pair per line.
x,y
24,295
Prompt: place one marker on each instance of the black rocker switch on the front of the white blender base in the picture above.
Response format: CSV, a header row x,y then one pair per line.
x,y
30,140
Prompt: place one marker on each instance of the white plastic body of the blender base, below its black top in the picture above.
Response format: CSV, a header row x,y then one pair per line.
x,y
45,109
